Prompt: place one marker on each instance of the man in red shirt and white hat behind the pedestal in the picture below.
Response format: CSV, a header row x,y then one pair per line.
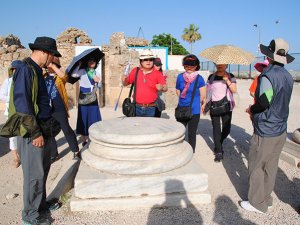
x,y
149,82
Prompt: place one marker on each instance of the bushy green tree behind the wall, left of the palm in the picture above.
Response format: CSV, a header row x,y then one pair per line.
x,y
166,40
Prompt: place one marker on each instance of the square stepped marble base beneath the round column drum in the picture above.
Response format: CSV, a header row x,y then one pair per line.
x,y
95,190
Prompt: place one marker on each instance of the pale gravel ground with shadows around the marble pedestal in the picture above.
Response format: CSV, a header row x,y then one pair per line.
x,y
227,180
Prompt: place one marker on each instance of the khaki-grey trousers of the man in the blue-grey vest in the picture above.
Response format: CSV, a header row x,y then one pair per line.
x,y
263,164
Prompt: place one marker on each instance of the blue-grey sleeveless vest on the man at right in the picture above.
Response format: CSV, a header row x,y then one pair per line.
x,y
273,121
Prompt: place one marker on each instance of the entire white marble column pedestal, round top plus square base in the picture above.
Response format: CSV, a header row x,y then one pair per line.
x,y
134,163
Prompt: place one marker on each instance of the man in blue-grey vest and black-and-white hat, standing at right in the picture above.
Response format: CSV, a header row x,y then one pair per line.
x,y
269,114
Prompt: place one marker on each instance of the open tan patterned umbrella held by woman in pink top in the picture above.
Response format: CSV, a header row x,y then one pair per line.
x,y
228,54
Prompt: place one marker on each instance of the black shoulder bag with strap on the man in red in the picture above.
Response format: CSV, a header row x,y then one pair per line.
x,y
128,107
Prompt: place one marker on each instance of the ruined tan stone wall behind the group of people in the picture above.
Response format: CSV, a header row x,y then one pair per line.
x,y
116,58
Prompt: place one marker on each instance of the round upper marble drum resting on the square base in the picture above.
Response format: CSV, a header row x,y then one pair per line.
x,y
136,146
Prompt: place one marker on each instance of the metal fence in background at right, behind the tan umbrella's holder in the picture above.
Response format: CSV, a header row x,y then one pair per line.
x,y
242,71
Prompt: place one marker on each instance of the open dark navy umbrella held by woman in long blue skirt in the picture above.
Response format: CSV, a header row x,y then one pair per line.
x,y
83,57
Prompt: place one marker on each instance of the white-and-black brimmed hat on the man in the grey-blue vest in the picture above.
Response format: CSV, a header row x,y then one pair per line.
x,y
278,51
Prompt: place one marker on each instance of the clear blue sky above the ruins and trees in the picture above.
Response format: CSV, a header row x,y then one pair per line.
x,y
219,22
